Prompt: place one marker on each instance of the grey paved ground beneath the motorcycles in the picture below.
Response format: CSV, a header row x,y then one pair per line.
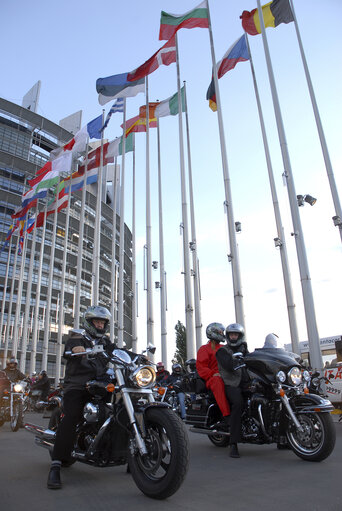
x,y
262,479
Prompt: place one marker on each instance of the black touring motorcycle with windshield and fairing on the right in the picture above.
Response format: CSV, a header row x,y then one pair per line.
x,y
278,408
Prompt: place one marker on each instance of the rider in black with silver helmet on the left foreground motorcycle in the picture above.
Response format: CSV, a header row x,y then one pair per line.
x,y
79,370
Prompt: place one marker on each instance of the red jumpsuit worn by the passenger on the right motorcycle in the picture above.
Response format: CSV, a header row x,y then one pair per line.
x,y
207,367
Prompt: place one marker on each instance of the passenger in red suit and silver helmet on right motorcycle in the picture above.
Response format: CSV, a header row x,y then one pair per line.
x,y
207,367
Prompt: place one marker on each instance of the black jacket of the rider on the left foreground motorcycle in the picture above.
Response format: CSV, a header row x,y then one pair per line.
x,y
81,369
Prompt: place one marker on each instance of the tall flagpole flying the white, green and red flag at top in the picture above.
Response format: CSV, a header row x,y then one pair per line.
x,y
233,257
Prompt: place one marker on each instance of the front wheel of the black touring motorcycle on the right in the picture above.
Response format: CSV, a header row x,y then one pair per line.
x,y
317,440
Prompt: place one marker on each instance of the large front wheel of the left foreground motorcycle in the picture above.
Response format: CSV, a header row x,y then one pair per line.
x,y
161,472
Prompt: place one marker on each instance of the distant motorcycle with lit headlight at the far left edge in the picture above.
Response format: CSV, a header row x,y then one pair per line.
x,y
11,405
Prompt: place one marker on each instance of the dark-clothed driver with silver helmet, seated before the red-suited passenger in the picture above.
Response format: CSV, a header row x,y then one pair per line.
x,y
233,379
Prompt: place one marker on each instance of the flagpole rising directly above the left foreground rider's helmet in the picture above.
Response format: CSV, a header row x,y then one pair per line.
x,y
97,230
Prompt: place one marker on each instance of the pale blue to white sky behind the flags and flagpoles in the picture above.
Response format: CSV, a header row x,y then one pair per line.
x,y
68,45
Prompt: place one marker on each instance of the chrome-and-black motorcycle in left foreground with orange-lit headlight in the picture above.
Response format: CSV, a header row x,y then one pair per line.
x,y
122,423
